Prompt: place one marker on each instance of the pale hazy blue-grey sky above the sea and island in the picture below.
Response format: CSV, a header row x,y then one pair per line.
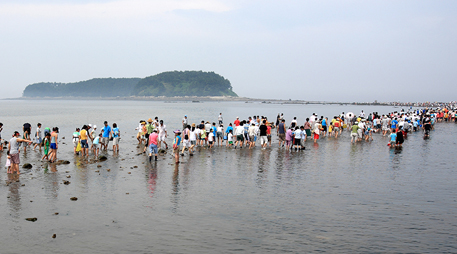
x,y
310,50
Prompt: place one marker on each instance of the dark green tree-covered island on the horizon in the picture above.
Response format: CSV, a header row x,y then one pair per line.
x,y
168,84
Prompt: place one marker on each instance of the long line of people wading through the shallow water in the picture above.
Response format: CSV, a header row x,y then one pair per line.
x,y
241,133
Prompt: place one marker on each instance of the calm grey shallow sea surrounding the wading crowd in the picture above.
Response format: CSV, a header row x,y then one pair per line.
x,y
333,197
